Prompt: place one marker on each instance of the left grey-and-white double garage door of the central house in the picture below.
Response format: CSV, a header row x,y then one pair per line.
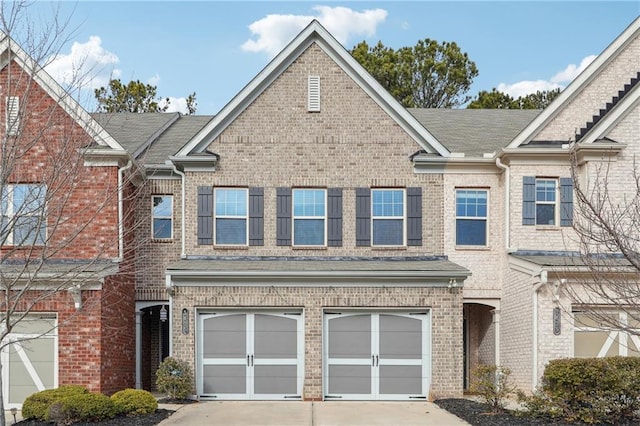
x,y
250,355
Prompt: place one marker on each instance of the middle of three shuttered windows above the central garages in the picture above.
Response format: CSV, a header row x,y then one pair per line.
x,y
309,217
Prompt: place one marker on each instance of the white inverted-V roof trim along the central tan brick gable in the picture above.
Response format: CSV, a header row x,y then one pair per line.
x,y
313,33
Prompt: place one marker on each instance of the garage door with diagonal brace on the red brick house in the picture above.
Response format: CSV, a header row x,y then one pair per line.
x,y
29,361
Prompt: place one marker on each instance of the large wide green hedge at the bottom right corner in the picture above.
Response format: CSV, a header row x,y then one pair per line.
x,y
589,390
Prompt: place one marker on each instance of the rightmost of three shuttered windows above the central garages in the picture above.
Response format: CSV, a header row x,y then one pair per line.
x,y
387,207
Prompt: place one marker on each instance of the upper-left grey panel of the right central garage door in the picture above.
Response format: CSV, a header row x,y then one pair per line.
x,y
350,337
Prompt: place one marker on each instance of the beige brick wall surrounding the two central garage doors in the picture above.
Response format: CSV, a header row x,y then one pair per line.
x,y
446,317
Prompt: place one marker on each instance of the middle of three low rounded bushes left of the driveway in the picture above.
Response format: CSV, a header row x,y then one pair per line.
x,y
82,407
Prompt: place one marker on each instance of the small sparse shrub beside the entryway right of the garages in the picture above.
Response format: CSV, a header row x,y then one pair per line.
x,y
492,384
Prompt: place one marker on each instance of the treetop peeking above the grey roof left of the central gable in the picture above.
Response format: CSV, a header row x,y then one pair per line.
x,y
135,96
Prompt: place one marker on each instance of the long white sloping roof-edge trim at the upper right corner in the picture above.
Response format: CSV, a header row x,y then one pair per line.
x,y
571,91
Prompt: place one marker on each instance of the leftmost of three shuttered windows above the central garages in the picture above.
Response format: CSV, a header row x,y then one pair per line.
x,y
230,219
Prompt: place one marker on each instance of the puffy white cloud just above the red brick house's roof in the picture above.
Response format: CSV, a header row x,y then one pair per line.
x,y
87,65
